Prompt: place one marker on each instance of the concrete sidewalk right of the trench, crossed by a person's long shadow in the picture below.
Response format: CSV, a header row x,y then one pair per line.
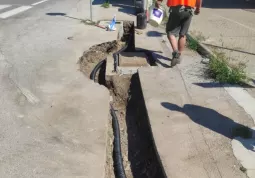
x,y
191,116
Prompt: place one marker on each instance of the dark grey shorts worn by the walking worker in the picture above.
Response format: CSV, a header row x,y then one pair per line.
x,y
179,20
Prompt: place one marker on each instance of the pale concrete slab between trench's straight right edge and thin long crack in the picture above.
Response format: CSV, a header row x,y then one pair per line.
x,y
171,129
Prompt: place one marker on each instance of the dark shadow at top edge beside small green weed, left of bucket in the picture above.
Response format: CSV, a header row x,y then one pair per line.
x,y
125,6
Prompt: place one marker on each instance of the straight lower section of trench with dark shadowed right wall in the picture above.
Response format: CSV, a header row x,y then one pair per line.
x,y
139,155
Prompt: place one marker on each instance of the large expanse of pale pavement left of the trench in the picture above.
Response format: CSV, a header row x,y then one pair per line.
x,y
49,124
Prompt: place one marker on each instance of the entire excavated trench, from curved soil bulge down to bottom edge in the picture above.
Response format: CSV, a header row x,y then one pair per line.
x,y
139,155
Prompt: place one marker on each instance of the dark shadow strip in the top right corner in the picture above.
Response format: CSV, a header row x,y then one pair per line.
x,y
229,4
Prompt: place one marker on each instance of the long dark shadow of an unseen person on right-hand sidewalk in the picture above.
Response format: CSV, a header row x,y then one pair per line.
x,y
212,120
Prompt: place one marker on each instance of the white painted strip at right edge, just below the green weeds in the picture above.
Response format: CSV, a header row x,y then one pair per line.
x,y
243,98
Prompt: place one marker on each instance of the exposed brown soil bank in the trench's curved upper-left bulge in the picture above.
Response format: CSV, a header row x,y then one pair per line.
x,y
97,53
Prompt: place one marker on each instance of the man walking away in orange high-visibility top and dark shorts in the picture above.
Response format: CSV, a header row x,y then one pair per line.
x,y
181,12
